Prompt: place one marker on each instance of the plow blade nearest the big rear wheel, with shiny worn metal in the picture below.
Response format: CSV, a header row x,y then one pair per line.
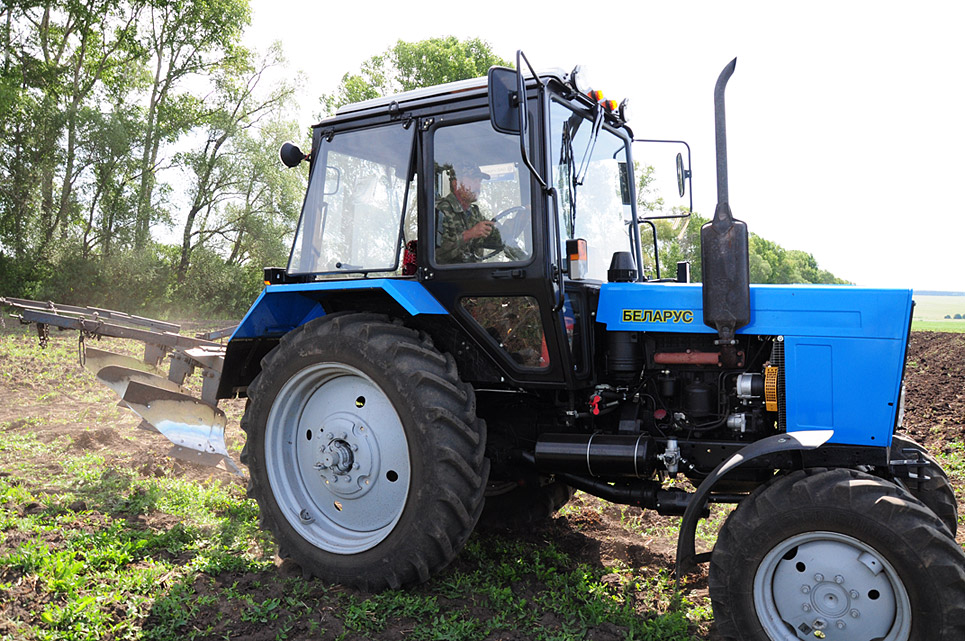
x,y
195,428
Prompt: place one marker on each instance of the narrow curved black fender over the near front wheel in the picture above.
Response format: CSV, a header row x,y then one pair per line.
x,y
785,442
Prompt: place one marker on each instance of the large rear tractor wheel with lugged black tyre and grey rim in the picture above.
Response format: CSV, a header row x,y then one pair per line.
x,y
365,453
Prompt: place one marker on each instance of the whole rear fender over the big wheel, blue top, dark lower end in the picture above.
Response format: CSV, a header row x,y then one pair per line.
x,y
281,308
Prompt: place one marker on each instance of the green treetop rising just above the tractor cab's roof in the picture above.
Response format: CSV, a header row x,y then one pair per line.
x,y
411,65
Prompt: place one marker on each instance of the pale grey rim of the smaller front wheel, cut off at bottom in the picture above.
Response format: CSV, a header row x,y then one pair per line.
x,y
830,586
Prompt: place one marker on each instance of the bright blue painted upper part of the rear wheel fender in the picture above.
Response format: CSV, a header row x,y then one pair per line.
x,y
281,308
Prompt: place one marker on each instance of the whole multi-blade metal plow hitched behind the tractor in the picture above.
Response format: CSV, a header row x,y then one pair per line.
x,y
195,426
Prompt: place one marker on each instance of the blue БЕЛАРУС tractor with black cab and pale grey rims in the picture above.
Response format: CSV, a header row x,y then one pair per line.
x,y
465,334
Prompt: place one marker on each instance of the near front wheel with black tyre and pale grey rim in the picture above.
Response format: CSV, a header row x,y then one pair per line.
x,y
837,555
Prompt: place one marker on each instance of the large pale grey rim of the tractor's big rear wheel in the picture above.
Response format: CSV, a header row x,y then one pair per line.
x,y
337,458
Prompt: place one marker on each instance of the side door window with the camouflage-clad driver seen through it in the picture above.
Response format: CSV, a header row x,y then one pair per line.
x,y
482,212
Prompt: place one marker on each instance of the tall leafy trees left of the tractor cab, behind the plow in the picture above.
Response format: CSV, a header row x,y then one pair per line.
x,y
138,162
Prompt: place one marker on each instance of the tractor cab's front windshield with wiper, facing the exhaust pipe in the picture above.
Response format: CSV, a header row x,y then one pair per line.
x,y
590,174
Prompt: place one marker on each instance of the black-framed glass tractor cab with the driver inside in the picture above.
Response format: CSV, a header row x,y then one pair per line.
x,y
510,227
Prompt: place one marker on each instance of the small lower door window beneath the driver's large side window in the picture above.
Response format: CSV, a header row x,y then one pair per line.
x,y
514,322
